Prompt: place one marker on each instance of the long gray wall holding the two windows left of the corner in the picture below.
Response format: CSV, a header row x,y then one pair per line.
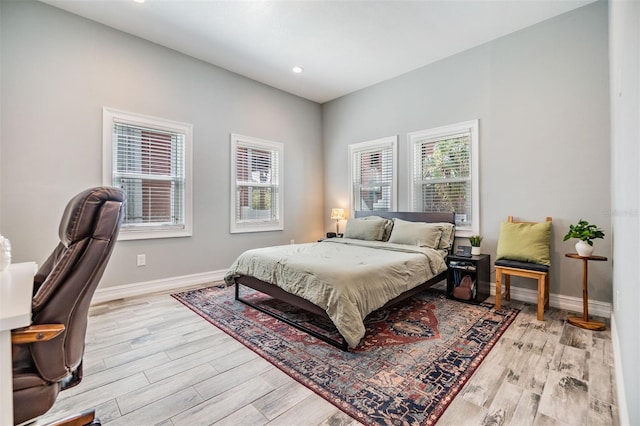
x,y
59,70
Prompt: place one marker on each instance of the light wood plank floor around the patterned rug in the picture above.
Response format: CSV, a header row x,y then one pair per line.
x,y
152,361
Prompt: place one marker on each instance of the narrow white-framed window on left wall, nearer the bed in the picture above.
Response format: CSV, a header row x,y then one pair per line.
x,y
256,185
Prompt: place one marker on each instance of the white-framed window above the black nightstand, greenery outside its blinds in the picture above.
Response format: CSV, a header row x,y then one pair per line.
x,y
445,173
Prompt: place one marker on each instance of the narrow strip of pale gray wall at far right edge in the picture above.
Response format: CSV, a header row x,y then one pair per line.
x,y
625,196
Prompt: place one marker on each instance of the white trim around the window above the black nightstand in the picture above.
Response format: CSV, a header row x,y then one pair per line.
x,y
443,131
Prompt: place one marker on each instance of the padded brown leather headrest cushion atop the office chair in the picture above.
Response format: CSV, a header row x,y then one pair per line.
x,y
79,216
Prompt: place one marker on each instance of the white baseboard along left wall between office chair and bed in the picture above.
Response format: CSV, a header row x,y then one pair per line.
x,y
166,284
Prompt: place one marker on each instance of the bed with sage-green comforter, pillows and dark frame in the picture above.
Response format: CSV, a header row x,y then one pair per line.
x,y
383,259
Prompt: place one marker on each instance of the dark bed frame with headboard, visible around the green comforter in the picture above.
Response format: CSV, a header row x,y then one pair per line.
x,y
298,302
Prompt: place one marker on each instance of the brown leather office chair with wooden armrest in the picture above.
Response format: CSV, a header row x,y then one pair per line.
x,y
47,356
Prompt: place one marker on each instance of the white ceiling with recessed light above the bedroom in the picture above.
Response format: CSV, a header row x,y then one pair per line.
x,y
342,45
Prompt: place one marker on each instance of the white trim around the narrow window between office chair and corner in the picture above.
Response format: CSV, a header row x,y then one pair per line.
x,y
256,227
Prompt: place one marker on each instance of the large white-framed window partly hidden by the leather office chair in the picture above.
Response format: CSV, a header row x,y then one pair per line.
x,y
150,158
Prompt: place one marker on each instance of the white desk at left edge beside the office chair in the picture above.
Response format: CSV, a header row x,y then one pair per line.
x,y
16,287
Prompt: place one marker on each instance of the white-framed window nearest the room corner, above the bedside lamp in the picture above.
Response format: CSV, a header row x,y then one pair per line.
x,y
373,175
